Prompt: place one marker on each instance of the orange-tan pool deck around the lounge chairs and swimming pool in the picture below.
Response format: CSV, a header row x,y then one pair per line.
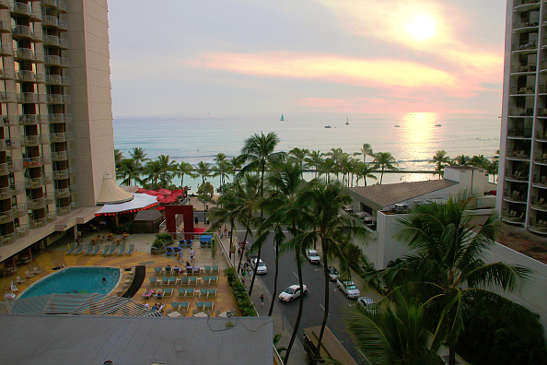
x,y
55,256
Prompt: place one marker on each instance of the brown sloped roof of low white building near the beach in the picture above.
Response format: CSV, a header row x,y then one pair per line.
x,y
384,195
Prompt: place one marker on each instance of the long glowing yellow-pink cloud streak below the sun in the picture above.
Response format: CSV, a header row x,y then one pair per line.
x,y
355,71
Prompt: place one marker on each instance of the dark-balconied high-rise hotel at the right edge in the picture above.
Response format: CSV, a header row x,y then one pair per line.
x,y
522,187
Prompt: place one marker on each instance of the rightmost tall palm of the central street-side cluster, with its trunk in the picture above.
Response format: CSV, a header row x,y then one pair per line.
x,y
333,228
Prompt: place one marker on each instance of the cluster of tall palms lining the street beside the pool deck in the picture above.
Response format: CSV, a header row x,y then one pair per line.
x,y
274,204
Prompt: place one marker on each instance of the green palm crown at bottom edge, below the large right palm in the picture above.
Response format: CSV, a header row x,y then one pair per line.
x,y
394,333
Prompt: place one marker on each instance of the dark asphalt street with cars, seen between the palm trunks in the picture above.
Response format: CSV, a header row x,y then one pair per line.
x,y
313,310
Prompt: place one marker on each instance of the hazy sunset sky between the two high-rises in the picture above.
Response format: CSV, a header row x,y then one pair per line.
x,y
236,57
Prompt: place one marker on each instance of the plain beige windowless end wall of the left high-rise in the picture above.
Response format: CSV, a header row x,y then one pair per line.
x,y
91,99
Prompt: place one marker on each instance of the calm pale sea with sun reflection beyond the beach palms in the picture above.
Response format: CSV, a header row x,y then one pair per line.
x,y
412,138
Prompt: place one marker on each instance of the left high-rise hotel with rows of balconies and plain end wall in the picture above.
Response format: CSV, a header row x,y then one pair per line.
x,y
56,141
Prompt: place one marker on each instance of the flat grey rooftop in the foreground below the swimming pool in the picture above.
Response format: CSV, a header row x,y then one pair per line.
x,y
128,340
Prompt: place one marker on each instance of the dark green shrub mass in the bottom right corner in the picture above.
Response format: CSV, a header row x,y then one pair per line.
x,y
498,331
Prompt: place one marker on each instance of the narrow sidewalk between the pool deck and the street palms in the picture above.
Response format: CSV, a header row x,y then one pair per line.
x,y
281,324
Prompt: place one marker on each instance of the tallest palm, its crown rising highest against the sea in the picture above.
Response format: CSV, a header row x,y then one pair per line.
x,y
257,152
